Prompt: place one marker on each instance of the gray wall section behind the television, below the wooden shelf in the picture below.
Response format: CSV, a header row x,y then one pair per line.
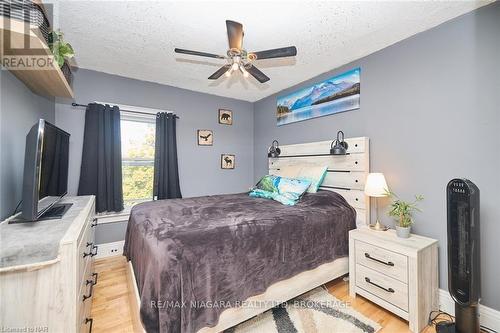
x,y
19,110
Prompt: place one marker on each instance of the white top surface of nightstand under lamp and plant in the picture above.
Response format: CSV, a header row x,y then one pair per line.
x,y
389,240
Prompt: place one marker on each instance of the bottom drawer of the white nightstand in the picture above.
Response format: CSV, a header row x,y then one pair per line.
x,y
382,286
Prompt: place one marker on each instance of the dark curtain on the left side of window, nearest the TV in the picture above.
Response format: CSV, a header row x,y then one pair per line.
x,y
101,169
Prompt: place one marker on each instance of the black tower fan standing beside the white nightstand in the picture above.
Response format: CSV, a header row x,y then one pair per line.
x,y
464,273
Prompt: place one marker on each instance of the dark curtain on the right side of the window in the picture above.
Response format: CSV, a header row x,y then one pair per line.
x,y
166,172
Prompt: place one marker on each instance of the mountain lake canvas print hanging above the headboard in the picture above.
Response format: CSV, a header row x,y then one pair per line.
x,y
337,94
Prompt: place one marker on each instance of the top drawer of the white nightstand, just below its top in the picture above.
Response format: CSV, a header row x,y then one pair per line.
x,y
384,261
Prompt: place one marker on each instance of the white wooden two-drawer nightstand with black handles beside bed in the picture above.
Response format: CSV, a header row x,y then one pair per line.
x,y
401,275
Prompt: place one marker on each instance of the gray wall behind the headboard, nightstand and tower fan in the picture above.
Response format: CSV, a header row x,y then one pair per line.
x,y
430,106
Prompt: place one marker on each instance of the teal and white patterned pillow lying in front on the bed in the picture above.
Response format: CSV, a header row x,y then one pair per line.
x,y
285,190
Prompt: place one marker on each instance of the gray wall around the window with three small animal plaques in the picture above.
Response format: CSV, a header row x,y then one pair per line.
x,y
199,167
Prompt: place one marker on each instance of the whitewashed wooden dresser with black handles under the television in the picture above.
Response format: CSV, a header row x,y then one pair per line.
x,y
46,271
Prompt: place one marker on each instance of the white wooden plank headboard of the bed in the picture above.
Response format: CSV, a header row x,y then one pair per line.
x,y
346,173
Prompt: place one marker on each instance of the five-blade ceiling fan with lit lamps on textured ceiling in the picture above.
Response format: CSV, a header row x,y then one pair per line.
x,y
238,59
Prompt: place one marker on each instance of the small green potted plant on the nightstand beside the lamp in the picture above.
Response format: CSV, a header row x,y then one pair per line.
x,y
402,211
